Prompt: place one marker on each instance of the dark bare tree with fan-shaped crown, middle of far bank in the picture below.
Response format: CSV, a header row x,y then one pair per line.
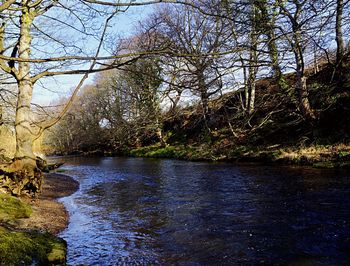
x,y
200,40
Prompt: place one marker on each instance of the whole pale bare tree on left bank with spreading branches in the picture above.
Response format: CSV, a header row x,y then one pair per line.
x,y
26,26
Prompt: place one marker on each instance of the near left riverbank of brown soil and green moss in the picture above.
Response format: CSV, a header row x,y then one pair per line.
x,y
29,227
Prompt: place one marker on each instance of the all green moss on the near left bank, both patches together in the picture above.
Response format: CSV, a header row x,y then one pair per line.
x,y
18,247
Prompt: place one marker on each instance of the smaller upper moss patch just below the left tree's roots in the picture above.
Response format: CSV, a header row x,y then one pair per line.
x,y
12,208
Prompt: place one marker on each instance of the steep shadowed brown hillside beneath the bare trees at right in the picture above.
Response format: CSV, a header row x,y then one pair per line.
x,y
275,132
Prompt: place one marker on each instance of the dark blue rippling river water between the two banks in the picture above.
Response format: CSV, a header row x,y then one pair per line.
x,y
131,211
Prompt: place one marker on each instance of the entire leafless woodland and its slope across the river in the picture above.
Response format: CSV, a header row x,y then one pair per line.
x,y
231,80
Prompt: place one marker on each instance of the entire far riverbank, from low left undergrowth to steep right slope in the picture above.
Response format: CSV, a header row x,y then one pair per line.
x,y
276,132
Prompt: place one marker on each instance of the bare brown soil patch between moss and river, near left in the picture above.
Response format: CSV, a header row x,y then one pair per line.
x,y
48,214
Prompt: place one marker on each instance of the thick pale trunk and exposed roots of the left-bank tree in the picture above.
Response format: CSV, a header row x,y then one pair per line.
x,y
23,174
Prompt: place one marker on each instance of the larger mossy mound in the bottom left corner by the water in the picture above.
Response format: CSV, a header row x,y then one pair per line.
x,y
25,248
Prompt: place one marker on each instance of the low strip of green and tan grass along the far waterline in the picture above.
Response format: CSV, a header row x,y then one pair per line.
x,y
320,156
